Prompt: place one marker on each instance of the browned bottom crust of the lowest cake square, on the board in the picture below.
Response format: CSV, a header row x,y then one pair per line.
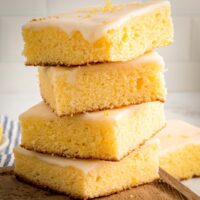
x,y
41,186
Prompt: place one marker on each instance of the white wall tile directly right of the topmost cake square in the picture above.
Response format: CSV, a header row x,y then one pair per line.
x,y
180,49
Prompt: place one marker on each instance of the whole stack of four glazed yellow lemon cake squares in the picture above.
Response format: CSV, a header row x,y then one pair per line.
x,y
103,91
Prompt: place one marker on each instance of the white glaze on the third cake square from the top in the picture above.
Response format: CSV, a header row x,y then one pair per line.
x,y
41,110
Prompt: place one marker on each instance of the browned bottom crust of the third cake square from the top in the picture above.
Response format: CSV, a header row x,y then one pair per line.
x,y
139,146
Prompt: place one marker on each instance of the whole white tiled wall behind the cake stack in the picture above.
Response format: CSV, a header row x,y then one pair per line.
x,y
182,58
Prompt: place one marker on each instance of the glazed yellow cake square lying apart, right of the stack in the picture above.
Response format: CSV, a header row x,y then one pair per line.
x,y
180,149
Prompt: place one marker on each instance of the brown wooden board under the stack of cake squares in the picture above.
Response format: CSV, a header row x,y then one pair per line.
x,y
167,188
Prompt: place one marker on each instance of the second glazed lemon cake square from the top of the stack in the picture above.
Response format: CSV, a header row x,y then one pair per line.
x,y
70,91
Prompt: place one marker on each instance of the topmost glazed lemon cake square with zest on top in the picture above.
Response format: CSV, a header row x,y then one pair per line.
x,y
98,34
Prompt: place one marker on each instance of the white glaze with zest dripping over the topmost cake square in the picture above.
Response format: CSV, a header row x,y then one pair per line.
x,y
94,22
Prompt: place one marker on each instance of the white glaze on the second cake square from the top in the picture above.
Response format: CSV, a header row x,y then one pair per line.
x,y
72,73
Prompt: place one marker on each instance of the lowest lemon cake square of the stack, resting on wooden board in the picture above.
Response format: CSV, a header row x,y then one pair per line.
x,y
88,178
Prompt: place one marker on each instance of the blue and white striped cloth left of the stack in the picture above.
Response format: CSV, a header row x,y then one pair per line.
x,y
11,130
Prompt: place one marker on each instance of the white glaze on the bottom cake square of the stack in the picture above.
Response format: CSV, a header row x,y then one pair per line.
x,y
85,165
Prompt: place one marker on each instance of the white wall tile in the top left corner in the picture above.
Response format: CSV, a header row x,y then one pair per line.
x,y
23,7
